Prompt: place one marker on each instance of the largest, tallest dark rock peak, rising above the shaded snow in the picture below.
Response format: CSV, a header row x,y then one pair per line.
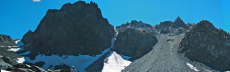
x,y
75,29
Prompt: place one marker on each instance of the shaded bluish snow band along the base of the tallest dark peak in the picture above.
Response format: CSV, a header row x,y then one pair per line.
x,y
79,62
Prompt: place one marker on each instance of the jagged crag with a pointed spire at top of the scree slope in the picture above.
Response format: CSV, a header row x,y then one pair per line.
x,y
176,27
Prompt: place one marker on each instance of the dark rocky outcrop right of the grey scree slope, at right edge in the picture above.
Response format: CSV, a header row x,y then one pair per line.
x,y
208,45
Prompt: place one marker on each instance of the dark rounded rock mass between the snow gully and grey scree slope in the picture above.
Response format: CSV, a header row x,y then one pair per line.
x,y
134,39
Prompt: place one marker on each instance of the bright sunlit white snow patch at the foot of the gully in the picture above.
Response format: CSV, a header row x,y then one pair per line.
x,y
115,63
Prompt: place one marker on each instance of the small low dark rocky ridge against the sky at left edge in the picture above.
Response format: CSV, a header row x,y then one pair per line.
x,y
6,40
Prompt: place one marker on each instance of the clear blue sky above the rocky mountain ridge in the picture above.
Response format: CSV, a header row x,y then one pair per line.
x,y
19,16
